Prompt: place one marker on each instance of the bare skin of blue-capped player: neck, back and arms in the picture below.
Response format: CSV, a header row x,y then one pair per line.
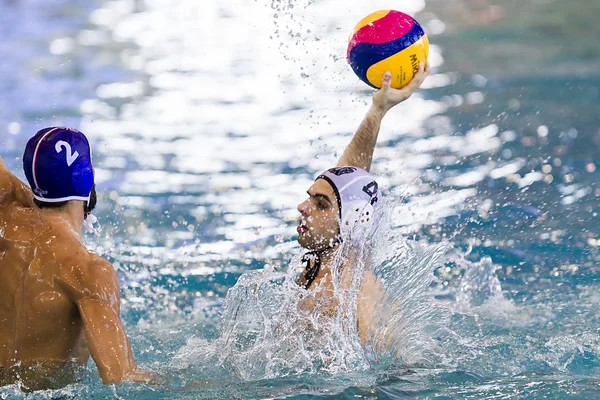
x,y
58,301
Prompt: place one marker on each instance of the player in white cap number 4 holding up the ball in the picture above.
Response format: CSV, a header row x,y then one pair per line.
x,y
341,203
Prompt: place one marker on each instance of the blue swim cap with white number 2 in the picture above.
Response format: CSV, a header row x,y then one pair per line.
x,y
58,165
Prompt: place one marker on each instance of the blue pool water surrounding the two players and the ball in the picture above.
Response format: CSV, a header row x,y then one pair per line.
x,y
209,122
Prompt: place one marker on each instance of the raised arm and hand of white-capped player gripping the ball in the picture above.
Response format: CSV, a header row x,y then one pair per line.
x,y
359,152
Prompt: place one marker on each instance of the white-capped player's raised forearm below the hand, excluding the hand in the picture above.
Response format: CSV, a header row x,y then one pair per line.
x,y
359,152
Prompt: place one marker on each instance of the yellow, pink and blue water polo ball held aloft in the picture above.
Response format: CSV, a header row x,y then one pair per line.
x,y
387,40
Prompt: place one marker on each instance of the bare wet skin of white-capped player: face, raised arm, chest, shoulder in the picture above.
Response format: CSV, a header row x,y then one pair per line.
x,y
318,226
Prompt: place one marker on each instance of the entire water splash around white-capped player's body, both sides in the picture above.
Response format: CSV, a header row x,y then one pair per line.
x,y
271,327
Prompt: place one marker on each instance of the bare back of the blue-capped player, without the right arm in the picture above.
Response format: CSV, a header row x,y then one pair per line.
x,y
40,324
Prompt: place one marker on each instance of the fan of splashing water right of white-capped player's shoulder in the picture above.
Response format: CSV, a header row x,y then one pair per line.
x,y
409,318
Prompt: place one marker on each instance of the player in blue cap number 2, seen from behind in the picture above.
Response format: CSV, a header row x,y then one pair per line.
x,y
59,302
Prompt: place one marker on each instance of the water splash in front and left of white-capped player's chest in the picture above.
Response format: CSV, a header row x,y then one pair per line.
x,y
268,330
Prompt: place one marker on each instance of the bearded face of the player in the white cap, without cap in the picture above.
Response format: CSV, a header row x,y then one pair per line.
x,y
318,225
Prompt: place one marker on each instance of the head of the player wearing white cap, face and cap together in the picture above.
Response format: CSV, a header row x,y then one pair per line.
x,y
341,200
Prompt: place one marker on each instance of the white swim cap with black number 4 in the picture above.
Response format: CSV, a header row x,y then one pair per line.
x,y
357,194
